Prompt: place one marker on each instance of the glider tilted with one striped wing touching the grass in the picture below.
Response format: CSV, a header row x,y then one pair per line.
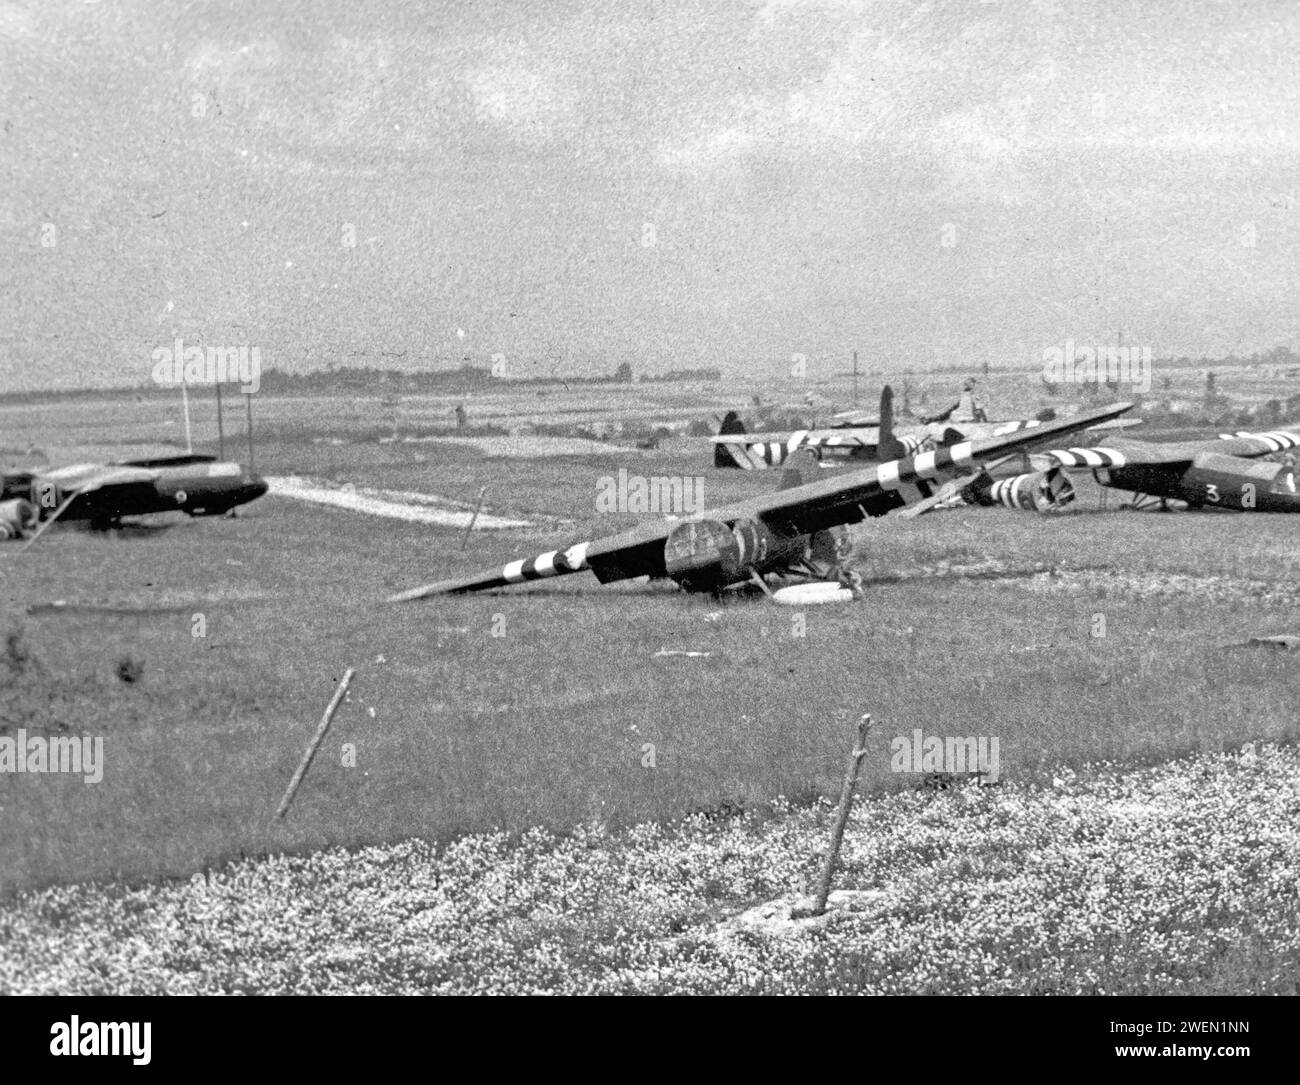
x,y
795,531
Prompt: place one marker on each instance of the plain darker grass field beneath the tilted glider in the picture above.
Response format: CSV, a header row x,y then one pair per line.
x,y
552,706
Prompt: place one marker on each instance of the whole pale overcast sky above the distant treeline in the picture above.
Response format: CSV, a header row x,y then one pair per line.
x,y
574,185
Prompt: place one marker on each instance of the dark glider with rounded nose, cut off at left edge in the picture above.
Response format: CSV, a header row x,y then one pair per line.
x,y
103,494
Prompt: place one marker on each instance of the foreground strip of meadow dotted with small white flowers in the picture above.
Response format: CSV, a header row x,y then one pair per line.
x,y
1177,879
